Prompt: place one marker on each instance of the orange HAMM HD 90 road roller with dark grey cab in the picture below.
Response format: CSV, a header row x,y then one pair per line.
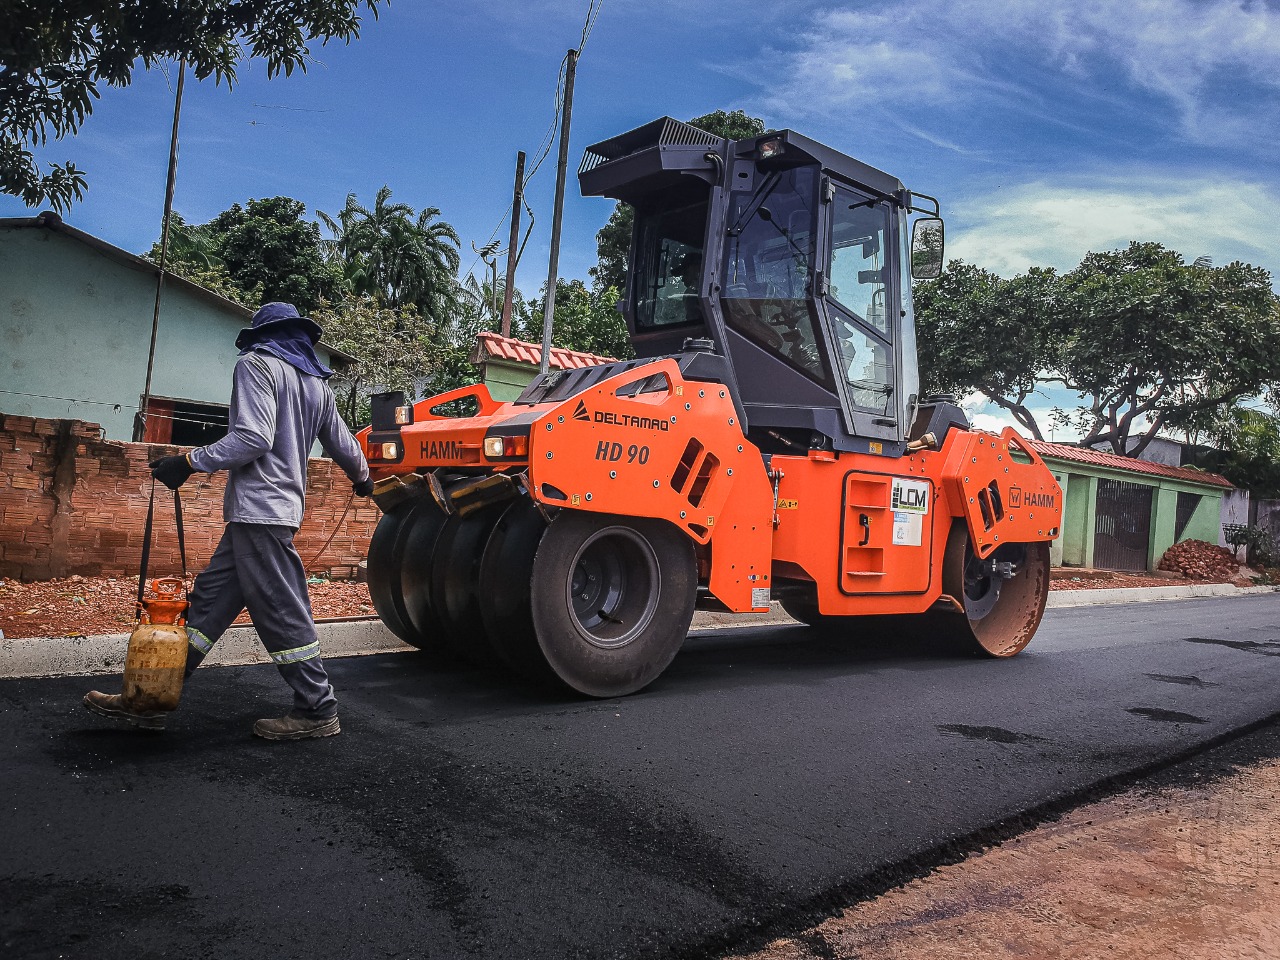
x,y
769,444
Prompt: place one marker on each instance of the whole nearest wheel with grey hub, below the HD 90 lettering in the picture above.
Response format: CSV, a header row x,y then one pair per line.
x,y
612,600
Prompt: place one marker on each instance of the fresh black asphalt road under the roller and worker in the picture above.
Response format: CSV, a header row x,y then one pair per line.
x,y
769,776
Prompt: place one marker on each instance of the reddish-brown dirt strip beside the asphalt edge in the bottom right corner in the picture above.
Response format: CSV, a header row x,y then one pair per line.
x,y
1187,868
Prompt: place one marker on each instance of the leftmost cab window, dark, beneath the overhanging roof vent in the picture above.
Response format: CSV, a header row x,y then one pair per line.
x,y
669,267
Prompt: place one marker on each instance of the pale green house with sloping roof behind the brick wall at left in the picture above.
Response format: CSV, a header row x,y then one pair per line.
x,y
76,331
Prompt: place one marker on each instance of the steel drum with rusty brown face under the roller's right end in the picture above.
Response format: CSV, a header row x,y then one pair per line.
x,y
1000,615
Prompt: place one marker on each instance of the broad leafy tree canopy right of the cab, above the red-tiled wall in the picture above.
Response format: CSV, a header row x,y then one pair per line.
x,y
1146,341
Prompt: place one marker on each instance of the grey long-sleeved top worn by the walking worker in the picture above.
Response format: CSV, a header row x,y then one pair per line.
x,y
277,414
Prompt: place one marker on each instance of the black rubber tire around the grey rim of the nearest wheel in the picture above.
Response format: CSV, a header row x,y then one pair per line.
x,y
669,591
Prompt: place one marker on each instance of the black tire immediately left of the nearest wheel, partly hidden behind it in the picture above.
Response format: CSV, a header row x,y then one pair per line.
x,y
506,575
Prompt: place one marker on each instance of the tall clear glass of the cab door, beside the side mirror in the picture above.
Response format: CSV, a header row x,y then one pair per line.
x,y
860,285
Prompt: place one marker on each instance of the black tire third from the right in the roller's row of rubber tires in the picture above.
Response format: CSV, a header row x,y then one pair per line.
x,y
456,584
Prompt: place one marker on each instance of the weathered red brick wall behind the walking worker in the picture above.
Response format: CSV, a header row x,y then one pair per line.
x,y
74,504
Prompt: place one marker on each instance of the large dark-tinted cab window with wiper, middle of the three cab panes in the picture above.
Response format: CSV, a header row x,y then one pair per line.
x,y
769,266
